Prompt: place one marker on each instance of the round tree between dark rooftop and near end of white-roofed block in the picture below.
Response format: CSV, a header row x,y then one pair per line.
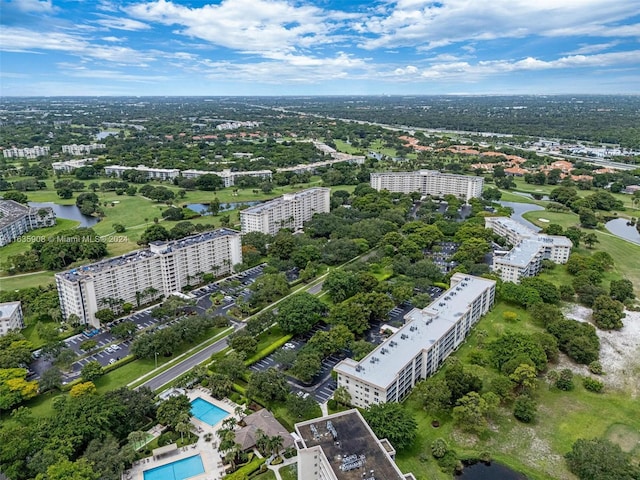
x,y
393,422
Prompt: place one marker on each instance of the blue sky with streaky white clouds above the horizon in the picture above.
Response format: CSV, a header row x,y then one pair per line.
x,y
319,47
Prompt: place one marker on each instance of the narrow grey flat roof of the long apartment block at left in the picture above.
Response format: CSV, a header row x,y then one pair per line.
x,y
85,271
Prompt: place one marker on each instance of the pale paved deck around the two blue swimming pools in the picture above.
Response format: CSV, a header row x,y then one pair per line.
x,y
208,451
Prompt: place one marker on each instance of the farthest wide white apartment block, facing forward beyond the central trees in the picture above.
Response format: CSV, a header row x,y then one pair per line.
x,y
429,182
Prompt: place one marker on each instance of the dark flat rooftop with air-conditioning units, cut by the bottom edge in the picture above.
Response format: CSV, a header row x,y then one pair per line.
x,y
353,446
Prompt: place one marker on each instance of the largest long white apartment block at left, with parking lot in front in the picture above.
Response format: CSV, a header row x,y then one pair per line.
x,y
143,275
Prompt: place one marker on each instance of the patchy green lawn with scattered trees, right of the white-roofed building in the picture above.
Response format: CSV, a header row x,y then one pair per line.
x,y
536,449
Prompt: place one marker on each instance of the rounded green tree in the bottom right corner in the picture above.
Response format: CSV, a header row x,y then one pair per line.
x,y
600,459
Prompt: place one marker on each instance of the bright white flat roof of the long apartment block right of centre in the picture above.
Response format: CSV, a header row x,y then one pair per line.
x,y
422,329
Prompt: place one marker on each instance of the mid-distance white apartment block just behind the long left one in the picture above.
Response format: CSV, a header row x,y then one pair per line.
x,y
289,211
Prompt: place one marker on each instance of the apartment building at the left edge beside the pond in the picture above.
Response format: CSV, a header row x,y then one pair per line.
x,y
17,219
